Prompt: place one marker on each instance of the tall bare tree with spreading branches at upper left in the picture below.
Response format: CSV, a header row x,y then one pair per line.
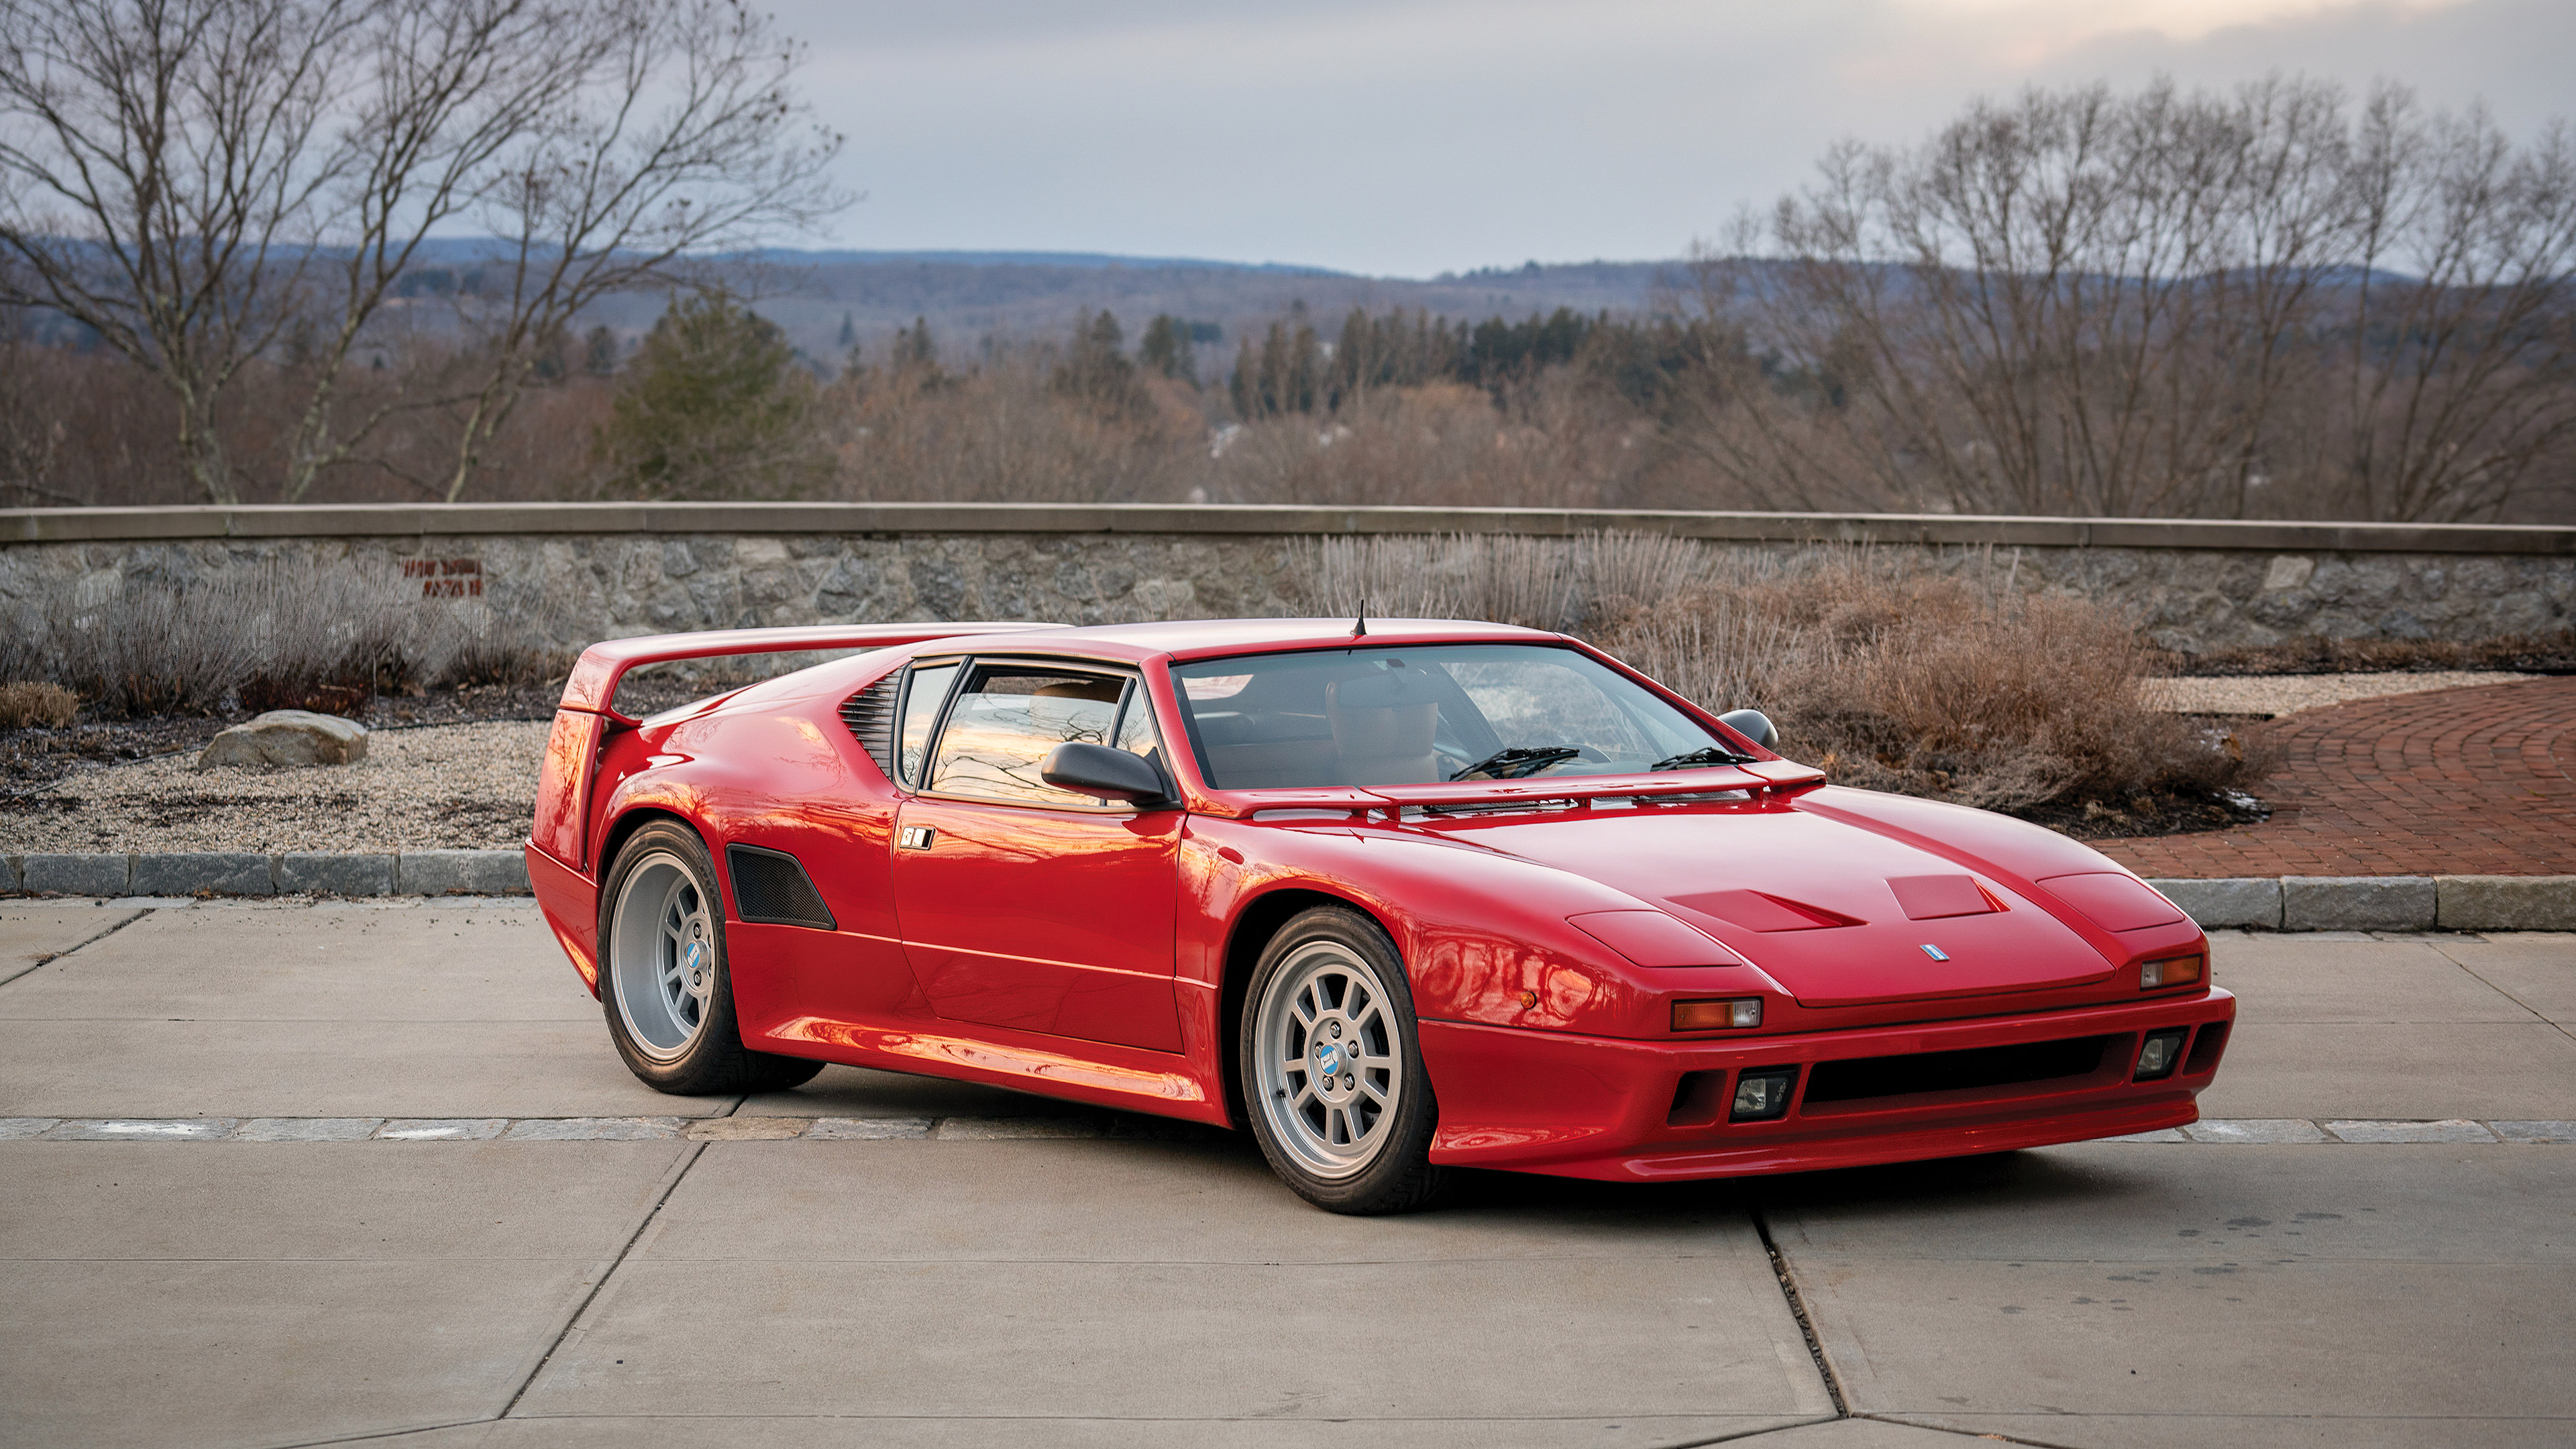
x,y
231,184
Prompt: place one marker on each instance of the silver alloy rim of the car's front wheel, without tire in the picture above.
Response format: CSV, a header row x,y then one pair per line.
x,y
1331,1058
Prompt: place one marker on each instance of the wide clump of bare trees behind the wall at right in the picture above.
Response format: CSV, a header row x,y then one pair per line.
x,y
2157,303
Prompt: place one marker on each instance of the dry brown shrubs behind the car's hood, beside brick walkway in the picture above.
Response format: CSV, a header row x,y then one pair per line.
x,y
1889,677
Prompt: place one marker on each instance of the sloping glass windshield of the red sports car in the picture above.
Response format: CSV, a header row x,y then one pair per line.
x,y
1426,715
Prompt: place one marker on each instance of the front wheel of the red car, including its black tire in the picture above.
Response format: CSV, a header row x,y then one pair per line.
x,y
1323,1138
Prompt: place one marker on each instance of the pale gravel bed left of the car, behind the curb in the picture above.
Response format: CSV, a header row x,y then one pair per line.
x,y
419,790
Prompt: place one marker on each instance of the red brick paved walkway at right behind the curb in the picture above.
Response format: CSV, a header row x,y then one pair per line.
x,y
2446,783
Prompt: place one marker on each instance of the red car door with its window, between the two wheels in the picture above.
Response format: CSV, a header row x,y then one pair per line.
x,y
1029,906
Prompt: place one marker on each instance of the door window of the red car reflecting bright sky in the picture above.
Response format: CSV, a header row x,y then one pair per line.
x,y
1009,718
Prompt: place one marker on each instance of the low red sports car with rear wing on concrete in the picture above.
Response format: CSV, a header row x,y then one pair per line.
x,y
1395,896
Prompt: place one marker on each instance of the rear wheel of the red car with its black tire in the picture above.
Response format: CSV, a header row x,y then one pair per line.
x,y
697,1045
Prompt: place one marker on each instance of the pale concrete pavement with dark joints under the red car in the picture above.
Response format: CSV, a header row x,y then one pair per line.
x,y
980,1283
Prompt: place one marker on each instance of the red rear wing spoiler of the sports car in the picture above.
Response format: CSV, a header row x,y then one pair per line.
x,y
589,713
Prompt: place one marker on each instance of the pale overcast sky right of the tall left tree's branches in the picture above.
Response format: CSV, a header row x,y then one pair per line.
x,y
1408,138
